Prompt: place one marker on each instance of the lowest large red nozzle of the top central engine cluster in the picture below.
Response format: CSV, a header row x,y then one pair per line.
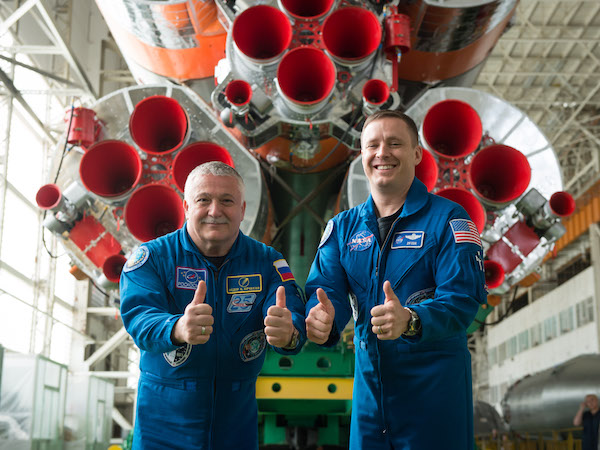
x,y
306,76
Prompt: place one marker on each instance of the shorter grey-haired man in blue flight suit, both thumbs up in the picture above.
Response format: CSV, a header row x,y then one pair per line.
x,y
201,303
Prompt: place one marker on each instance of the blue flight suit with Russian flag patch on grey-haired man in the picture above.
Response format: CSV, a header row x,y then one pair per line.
x,y
202,396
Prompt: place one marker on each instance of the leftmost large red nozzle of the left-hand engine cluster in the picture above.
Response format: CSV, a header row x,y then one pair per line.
x,y
110,168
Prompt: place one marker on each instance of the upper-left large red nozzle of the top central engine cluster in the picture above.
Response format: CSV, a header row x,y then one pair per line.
x,y
262,33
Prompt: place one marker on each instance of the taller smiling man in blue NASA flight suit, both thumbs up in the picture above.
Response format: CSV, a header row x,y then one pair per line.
x,y
408,266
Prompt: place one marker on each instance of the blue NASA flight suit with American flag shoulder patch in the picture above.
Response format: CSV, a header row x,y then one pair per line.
x,y
412,392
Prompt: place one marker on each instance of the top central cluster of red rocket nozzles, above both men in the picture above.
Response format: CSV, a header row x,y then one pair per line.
x,y
312,55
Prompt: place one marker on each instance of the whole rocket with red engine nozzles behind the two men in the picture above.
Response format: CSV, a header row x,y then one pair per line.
x,y
282,88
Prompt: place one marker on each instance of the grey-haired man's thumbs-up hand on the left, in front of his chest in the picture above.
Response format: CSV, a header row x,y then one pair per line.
x,y
195,326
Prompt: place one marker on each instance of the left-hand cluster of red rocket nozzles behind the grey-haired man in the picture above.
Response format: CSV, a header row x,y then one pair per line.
x,y
144,183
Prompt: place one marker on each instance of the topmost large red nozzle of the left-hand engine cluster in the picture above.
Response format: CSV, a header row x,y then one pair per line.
x,y
158,125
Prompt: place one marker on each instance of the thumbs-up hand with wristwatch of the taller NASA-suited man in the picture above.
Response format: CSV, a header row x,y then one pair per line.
x,y
389,320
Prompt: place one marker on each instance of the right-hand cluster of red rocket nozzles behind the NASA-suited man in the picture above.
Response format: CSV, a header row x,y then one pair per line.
x,y
482,176
